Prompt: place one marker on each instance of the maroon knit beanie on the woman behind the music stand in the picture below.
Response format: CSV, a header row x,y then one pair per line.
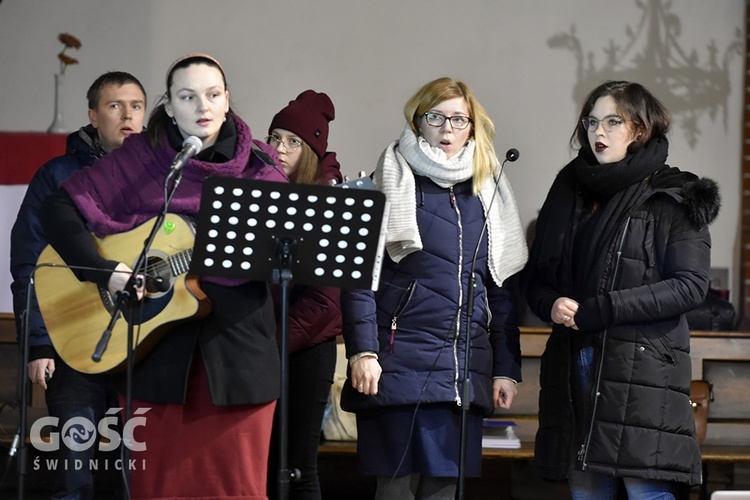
x,y
307,116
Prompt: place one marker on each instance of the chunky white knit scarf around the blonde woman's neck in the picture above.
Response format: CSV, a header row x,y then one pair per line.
x,y
394,176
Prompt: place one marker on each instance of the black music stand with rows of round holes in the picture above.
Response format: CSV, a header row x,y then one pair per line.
x,y
271,231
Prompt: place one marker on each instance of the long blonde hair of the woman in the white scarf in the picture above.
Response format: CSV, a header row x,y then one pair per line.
x,y
482,128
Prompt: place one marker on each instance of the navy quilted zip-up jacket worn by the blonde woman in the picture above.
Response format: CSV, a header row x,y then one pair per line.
x,y
416,321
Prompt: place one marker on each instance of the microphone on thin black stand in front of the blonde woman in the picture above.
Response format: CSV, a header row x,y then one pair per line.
x,y
466,392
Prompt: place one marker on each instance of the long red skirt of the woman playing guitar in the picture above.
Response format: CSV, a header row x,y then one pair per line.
x,y
198,450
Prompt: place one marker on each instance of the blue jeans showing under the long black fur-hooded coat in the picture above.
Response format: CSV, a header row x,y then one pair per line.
x,y
592,486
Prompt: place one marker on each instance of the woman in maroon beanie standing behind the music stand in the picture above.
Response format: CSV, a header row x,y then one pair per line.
x,y
299,133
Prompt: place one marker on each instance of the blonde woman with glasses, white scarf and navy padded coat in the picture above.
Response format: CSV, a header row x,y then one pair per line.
x,y
407,342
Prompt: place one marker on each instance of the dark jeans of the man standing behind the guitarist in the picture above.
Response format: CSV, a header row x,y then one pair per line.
x,y
72,394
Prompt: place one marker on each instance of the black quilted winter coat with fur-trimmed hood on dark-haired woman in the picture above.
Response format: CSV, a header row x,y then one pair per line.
x,y
656,269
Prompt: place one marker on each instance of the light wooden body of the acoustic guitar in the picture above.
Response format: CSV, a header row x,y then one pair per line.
x,y
76,313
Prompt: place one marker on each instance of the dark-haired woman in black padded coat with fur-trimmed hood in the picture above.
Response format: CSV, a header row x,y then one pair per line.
x,y
622,251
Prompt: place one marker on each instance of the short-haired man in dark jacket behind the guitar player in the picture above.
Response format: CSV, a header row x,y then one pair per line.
x,y
117,104
